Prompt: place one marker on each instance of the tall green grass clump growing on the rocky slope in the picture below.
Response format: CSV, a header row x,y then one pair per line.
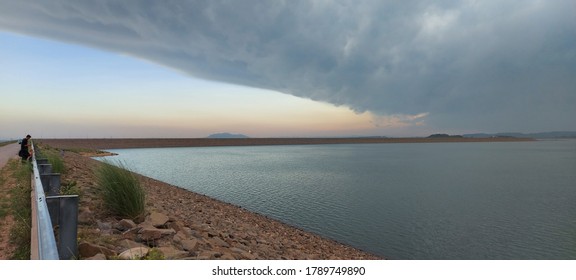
x,y
121,190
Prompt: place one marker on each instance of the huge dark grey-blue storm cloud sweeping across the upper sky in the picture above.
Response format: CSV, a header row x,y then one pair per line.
x,y
467,64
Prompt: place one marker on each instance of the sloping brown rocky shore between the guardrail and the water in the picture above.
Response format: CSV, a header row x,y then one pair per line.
x,y
184,225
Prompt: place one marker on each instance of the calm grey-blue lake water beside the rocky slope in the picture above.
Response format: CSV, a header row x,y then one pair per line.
x,y
401,201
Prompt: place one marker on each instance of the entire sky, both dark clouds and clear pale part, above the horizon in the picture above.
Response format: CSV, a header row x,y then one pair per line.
x,y
293,68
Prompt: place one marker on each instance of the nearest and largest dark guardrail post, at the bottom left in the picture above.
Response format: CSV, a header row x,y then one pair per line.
x,y
64,214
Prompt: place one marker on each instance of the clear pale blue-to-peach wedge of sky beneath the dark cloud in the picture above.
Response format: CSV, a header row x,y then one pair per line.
x,y
62,90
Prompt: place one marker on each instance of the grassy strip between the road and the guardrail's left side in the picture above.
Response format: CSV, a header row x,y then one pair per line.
x,y
18,204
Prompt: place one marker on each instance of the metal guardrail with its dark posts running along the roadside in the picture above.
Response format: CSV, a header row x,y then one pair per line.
x,y
53,210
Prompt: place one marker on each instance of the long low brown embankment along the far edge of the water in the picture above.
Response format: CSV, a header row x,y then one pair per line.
x,y
126,143
